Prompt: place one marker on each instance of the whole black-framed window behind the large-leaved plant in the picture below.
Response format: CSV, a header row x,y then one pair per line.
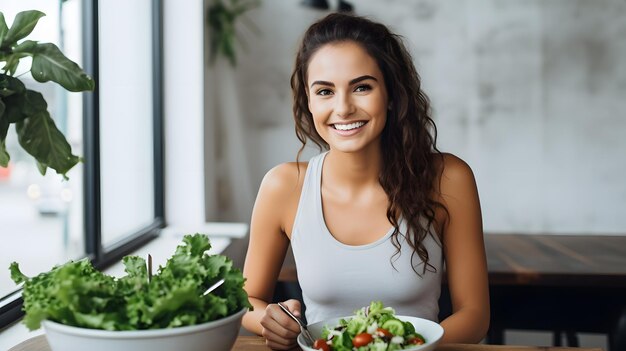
x,y
113,202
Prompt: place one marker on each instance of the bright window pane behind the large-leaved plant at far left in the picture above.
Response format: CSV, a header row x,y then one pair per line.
x,y
42,216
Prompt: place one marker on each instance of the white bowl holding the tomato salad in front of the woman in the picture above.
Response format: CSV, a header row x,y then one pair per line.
x,y
430,330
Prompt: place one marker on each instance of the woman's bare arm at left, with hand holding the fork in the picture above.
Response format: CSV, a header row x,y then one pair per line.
x,y
266,252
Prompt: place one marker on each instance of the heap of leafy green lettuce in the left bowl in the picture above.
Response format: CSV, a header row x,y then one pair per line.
x,y
77,294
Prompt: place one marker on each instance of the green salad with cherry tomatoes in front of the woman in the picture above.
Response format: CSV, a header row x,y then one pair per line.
x,y
373,328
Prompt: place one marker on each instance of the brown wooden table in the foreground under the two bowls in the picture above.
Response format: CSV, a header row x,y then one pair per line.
x,y
255,343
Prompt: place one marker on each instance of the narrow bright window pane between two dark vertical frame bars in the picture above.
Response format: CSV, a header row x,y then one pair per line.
x,y
126,100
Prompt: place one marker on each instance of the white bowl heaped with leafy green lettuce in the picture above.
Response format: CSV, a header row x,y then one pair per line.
x,y
216,335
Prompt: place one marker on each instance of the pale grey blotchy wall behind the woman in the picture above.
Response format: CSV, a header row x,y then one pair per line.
x,y
529,93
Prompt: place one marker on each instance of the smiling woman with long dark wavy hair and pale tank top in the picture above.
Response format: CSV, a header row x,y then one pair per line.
x,y
374,216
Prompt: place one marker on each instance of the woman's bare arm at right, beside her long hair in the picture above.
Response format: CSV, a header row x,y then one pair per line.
x,y
464,251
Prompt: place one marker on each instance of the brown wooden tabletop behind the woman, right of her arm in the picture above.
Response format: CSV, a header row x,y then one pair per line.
x,y
556,260
